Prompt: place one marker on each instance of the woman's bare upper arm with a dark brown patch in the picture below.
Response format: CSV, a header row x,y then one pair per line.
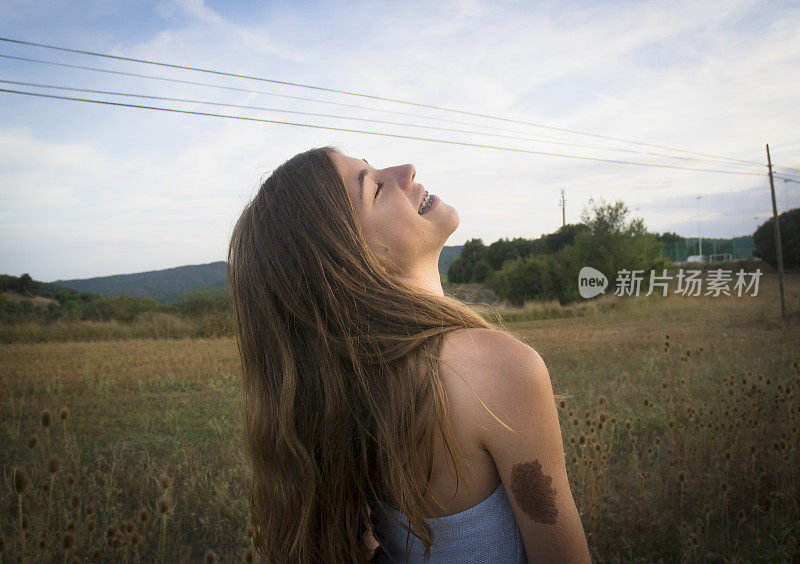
x,y
530,460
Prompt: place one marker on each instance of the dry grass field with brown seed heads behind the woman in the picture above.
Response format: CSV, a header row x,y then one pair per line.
x,y
681,436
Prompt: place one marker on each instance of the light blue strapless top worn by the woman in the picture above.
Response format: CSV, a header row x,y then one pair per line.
x,y
485,533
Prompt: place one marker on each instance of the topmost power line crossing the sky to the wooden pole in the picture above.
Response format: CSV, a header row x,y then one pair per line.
x,y
349,93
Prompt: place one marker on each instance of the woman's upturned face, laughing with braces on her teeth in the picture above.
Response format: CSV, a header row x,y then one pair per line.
x,y
386,202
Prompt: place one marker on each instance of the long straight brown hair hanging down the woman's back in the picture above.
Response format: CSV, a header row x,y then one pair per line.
x,y
342,395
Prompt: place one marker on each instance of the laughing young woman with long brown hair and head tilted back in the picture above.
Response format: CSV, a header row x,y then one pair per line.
x,y
377,410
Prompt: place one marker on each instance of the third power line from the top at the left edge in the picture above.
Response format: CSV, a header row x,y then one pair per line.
x,y
242,106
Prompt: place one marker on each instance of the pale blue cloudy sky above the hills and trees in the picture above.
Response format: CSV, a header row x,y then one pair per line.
x,y
94,190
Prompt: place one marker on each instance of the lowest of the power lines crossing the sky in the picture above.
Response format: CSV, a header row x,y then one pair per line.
x,y
448,142
